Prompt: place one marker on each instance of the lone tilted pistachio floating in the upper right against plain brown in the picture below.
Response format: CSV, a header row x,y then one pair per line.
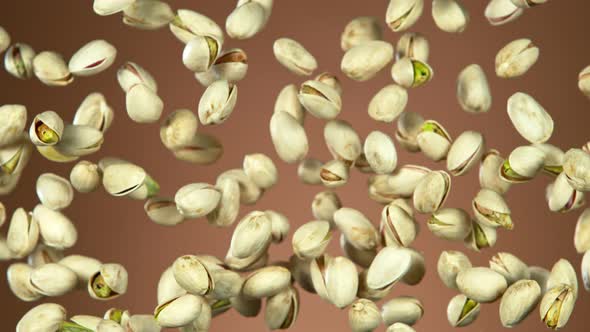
x,y
516,58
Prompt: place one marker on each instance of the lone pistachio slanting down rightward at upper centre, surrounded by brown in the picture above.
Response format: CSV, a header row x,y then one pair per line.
x,y
293,56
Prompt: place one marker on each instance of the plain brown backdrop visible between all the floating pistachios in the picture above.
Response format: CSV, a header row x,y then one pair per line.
x,y
116,230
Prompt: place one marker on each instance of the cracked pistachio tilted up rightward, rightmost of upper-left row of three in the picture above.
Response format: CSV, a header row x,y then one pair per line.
x,y
93,58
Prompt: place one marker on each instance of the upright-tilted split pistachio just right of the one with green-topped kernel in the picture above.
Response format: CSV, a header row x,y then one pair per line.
x,y
465,152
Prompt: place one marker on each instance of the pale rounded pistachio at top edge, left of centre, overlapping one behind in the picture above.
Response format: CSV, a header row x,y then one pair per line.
x,y
246,20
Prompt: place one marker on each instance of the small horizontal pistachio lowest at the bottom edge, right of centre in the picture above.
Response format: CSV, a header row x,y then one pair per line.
x,y
402,309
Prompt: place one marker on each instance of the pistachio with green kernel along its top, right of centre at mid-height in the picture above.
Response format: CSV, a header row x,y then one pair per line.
x,y
434,140
